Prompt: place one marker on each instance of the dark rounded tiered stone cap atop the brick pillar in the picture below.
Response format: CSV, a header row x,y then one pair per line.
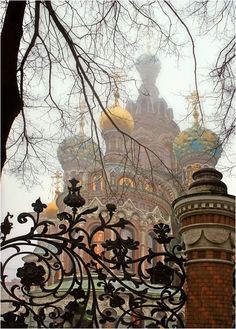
x,y
208,180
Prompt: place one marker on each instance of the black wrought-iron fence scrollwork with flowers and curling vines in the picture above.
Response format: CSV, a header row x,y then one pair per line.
x,y
65,282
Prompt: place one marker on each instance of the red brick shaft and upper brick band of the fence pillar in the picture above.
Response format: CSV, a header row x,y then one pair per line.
x,y
209,281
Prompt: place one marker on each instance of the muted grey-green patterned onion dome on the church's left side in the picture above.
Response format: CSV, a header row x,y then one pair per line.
x,y
77,150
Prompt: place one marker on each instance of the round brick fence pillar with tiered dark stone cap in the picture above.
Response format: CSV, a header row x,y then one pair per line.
x,y
207,218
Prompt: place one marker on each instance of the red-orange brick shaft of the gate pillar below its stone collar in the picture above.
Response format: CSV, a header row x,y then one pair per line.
x,y
209,295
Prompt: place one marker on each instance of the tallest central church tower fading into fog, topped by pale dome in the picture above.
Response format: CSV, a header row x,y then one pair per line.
x,y
154,123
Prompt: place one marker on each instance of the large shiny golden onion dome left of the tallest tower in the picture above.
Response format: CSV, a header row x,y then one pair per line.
x,y
120,116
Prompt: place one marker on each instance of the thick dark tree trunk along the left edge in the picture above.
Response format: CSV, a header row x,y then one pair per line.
x,y
11,102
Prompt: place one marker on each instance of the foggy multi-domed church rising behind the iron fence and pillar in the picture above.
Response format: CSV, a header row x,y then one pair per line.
x,y
142,178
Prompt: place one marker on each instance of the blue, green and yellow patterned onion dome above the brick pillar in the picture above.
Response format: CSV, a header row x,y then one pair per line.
x,y
195,141
